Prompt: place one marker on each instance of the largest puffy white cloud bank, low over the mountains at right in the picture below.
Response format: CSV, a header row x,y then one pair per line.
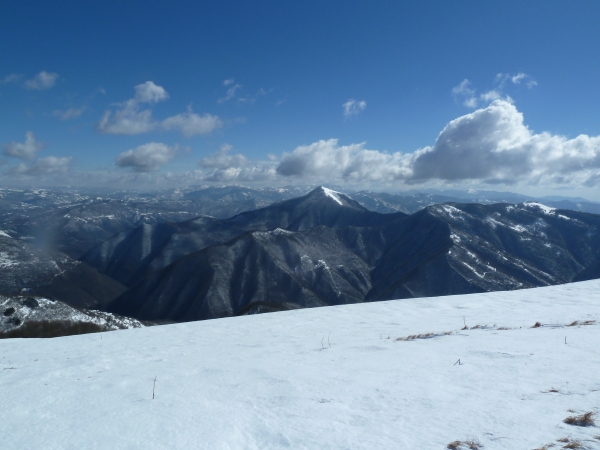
x,y
491,145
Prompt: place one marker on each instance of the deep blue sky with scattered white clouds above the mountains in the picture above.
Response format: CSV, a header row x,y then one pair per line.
x,y
369,95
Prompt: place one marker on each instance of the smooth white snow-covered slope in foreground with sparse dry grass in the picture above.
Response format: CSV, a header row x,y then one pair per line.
x,y
265,382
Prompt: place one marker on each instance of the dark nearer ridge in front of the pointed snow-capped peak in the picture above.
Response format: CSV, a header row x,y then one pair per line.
x,y
444,249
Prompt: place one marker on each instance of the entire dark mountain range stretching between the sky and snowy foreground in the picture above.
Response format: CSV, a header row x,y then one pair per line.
x,y
159,256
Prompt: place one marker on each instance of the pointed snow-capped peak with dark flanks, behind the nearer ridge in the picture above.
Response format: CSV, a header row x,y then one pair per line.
x,y
130,256
